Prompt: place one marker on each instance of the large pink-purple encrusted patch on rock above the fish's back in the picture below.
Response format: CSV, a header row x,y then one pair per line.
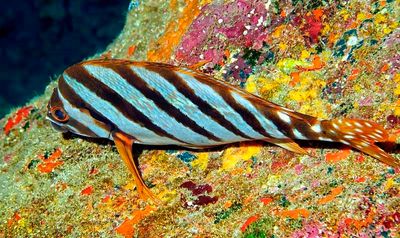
x,y
239,23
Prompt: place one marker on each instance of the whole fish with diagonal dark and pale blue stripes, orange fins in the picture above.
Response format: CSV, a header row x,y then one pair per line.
x,y
149,103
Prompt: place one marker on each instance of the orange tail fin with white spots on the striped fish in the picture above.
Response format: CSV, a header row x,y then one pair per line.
x,y
360,134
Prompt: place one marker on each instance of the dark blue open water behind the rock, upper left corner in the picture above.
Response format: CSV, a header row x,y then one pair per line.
x,y
40,38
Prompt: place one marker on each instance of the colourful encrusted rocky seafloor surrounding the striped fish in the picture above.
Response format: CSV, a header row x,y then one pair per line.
x,y
328,59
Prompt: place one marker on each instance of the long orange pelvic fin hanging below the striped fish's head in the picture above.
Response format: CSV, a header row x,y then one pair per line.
x,y
124,146
